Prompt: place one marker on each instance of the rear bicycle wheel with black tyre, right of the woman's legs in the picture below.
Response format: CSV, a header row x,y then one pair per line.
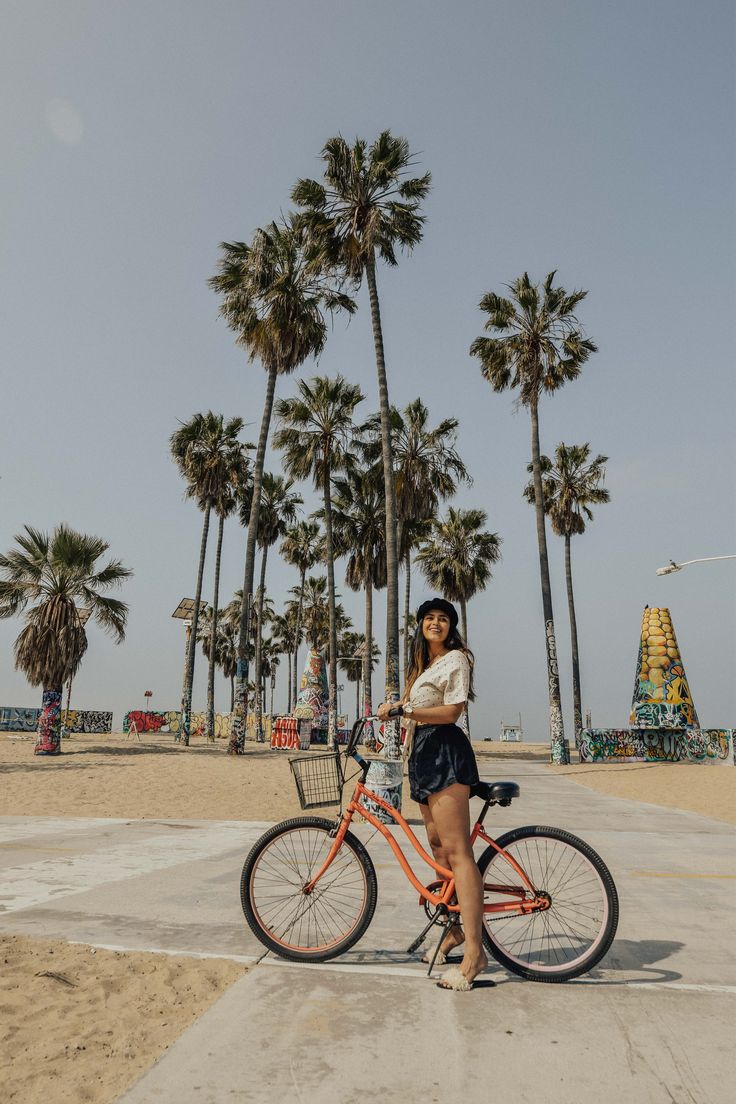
x,y
574,933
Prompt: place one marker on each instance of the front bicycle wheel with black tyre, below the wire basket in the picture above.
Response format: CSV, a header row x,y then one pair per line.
x,y
308,927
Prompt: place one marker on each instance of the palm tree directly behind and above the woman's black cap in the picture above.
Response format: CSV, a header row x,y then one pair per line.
x,y
458,557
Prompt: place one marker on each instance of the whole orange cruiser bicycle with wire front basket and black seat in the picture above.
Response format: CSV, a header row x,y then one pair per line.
x,y
310,888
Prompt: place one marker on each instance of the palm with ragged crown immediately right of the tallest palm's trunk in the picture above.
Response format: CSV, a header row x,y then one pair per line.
x,y
429,470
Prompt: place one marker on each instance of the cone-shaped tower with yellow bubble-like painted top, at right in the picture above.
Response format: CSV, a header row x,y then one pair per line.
x,y
662,695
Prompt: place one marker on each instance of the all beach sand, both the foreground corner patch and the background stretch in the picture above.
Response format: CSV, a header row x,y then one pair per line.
x,y
82,1025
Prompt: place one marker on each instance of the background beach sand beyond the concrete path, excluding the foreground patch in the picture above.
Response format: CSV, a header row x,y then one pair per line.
x,y
155,778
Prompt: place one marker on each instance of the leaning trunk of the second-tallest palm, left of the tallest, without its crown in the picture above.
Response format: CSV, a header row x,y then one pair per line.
x,y
238,730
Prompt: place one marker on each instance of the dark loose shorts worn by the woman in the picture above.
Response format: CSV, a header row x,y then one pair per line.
x,y
441,757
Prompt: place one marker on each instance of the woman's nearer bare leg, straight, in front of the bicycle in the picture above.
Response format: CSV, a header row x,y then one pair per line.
x,y
451,814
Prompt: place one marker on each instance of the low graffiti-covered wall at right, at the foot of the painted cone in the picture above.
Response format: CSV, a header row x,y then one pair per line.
x,y
663,746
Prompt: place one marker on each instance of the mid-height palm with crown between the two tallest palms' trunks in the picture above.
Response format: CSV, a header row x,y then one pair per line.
x,y
315,431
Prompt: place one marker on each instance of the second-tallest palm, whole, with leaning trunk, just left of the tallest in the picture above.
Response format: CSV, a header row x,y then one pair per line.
x,y
275,303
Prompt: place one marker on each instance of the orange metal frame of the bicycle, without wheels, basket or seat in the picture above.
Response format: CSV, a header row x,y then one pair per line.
x,y
526,897
